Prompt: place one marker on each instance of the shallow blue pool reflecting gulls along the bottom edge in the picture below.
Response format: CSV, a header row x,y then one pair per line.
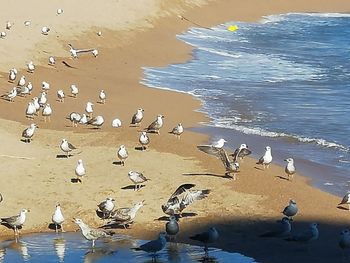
x,y
72,247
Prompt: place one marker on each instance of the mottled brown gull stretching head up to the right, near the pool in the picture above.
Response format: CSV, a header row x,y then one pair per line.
x,y
125,216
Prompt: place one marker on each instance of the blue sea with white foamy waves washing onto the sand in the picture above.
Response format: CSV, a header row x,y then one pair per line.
x,y
284,80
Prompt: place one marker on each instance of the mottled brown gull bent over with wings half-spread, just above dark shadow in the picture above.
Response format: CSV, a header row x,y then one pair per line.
x,y
183,197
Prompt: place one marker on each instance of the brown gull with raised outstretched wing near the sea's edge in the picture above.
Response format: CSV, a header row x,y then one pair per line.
x,y
230,166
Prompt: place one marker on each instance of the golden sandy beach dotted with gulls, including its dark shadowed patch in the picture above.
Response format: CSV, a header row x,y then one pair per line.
x,y
35,176
